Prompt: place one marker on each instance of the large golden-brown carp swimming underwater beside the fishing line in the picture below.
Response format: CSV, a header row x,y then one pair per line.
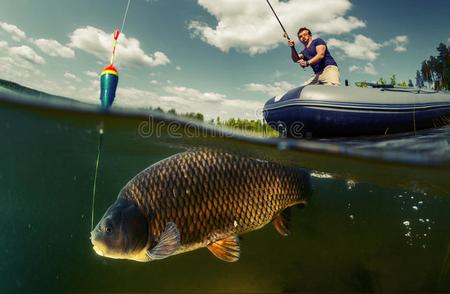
x,y
196,199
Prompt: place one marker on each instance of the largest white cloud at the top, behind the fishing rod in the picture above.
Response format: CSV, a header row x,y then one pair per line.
x,y
250,26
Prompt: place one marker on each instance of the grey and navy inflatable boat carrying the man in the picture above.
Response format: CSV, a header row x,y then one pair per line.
x,y
317,111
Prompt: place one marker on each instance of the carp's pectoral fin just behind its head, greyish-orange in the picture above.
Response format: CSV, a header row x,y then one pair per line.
x,y
169,242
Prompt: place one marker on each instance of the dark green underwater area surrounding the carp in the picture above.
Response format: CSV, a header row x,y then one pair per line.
x,y
374,226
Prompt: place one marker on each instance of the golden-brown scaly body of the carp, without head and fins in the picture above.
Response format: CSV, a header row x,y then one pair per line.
x,y
215,191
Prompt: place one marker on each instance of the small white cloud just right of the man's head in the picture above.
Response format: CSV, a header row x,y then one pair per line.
x,y
362,47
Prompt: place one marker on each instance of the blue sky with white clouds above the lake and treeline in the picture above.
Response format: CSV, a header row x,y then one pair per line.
x,y
219,57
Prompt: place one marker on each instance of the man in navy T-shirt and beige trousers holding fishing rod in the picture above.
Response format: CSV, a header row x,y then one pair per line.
x,y
318,57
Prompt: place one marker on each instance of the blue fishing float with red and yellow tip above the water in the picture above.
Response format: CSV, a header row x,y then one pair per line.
x,y
109,78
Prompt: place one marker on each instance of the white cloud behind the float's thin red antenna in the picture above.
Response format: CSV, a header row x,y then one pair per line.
x,y
129,51
